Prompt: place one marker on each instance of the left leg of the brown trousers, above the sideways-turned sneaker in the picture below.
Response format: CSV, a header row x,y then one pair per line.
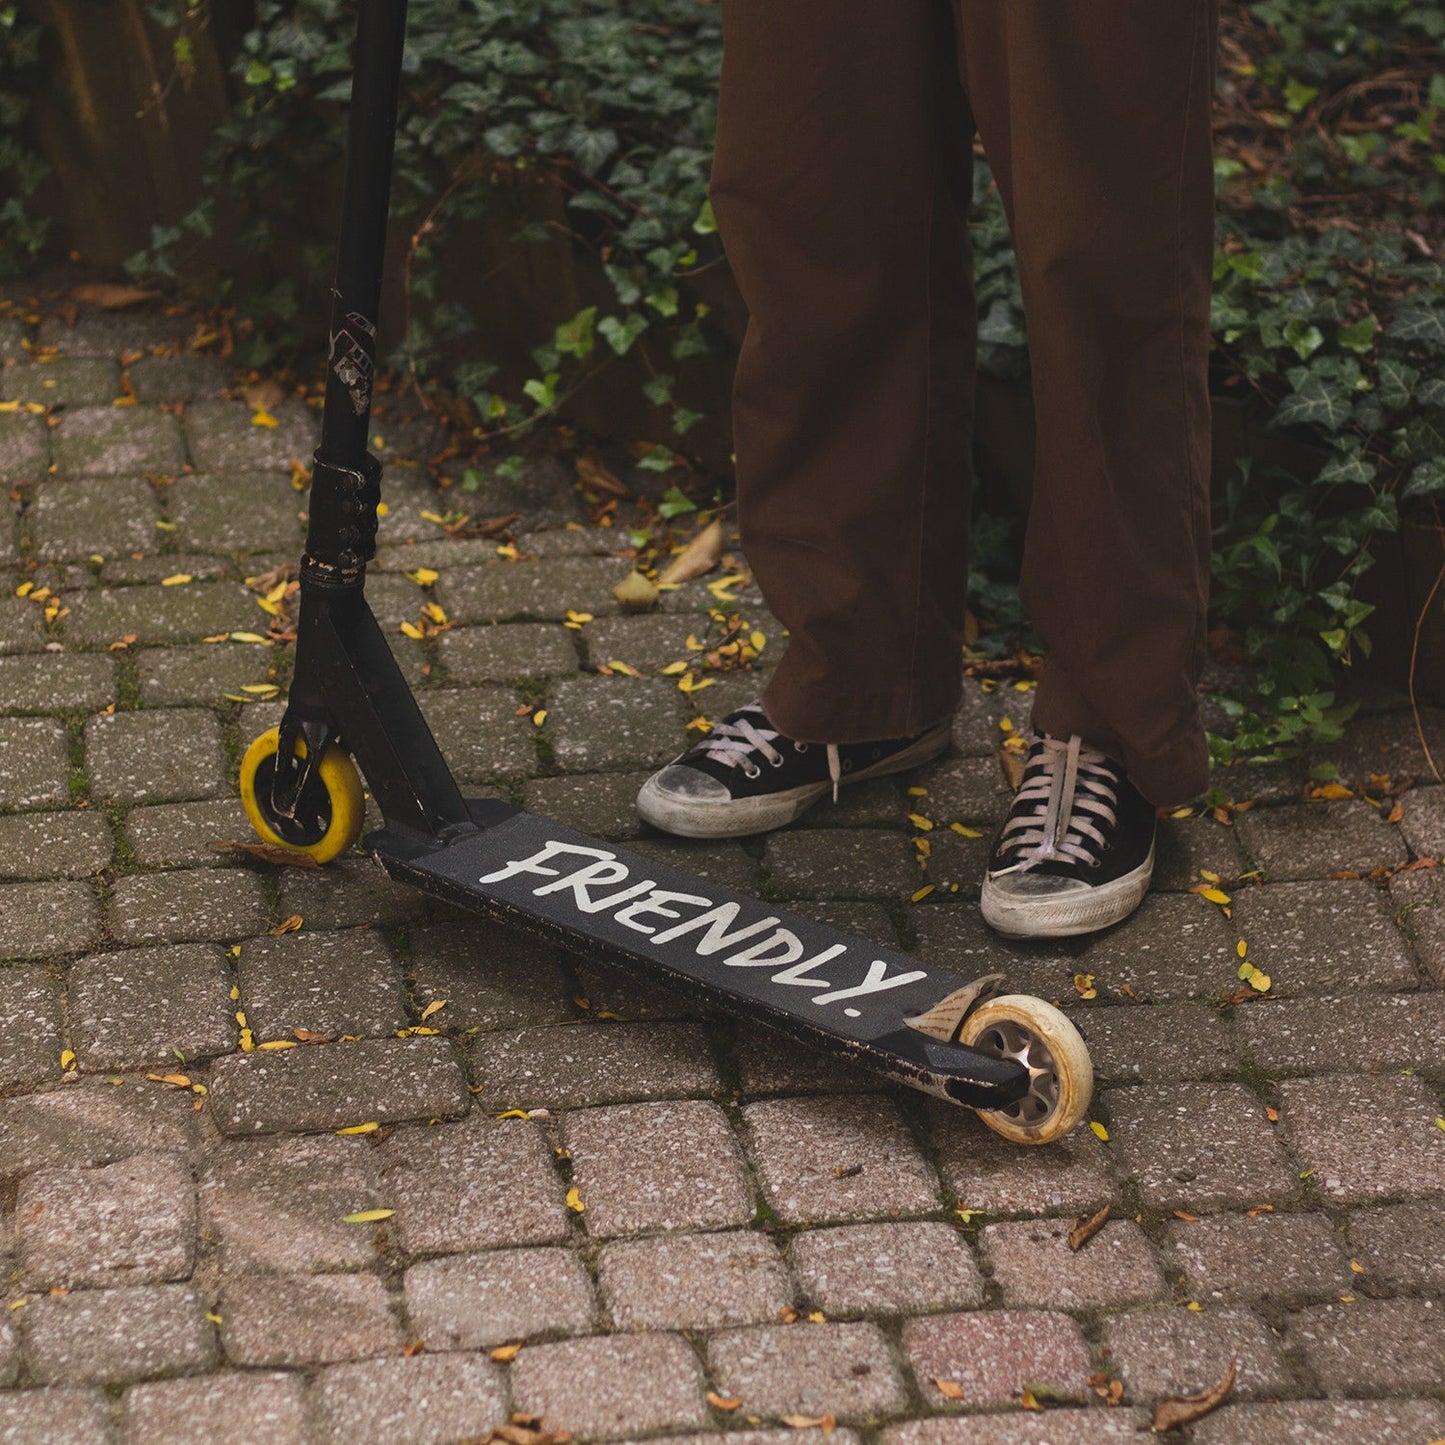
x,y
842,187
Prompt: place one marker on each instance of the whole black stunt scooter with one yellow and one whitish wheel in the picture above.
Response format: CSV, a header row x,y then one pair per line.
x,y
1017,1060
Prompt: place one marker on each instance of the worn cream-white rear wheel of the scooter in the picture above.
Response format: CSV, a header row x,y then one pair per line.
x,y
1061,1077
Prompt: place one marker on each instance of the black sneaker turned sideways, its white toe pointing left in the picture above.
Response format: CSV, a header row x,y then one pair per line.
x,y
745,777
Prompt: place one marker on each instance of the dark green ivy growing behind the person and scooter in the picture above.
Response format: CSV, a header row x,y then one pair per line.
x,y
1330,291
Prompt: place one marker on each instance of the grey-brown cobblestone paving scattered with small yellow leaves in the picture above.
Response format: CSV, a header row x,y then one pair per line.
x,y
689,1228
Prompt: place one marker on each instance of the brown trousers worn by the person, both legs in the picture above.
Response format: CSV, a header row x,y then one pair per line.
x,y
842,189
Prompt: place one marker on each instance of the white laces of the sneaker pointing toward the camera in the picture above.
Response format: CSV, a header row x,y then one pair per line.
x,y
1069,791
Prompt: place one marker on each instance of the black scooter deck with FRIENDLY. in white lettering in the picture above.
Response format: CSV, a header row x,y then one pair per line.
x,y
819,985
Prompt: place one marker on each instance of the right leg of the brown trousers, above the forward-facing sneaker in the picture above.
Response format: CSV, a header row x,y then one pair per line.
x,y
1096,118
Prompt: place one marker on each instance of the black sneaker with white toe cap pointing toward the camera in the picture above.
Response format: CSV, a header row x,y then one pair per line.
x,y
1077,849
